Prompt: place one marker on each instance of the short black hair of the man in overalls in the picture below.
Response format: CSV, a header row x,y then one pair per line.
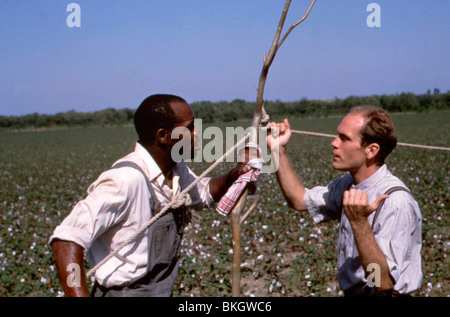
x,y
153,114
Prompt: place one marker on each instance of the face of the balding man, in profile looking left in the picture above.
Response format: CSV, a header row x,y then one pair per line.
x,y
349,155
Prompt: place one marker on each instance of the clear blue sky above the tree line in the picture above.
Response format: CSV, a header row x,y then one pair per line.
x,y
212,50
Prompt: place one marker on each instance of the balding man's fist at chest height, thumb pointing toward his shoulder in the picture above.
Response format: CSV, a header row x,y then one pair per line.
x,y
356,205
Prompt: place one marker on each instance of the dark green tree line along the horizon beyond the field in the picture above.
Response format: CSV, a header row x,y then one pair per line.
x,y
225,111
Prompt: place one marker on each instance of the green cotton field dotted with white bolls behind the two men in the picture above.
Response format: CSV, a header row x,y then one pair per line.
x,y
44,174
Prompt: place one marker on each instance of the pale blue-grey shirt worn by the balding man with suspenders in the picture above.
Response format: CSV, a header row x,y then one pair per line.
x,y
397,231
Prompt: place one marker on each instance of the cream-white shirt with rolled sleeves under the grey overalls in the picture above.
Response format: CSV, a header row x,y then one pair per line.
x,y
119,203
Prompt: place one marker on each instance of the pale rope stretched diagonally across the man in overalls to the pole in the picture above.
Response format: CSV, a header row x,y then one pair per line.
x,y
175,201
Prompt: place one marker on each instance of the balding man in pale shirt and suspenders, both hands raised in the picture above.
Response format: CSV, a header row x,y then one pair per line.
x,y
387,246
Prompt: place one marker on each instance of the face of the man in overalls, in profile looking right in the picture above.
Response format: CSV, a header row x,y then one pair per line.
x,y
185,122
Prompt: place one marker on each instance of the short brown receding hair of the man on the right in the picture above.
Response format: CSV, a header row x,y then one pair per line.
x,y
379,129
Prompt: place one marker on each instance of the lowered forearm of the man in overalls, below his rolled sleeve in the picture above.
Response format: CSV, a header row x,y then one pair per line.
x,y
69,259
